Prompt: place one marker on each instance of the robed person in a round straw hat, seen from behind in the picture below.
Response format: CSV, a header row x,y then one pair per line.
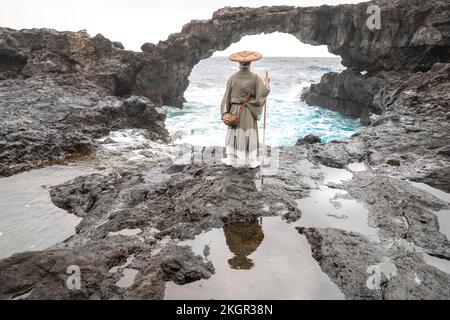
x,y
244,87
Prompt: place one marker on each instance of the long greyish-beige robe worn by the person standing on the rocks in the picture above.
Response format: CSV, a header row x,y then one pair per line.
x,y
243,140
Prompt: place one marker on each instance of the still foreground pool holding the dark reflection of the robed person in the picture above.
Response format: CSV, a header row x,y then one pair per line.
x,y
259,259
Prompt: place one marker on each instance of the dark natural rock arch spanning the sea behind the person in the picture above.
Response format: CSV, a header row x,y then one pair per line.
x,y
342,28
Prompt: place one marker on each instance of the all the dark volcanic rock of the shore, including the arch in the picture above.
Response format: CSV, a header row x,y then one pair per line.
x,y
133,216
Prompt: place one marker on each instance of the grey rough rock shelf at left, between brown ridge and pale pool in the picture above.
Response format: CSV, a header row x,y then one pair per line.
x,y
43,122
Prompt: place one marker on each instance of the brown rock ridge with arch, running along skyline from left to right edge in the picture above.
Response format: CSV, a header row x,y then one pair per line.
x,y
414,35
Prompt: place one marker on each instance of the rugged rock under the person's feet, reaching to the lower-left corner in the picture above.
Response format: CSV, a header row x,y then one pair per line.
x,y
174,206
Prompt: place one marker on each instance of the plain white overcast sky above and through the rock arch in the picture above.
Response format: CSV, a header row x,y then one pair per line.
x,y
134,22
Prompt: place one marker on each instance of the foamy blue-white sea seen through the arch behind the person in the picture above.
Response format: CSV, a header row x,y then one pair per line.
x,y
288,118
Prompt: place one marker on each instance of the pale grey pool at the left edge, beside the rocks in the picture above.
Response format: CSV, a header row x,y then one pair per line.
x,y
29,220
